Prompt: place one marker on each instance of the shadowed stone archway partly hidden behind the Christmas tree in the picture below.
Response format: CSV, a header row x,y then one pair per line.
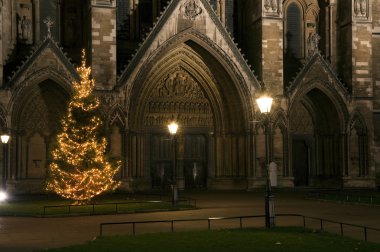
x,y
35,119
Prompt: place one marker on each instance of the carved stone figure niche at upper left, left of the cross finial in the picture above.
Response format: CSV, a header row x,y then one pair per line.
x,y
24,22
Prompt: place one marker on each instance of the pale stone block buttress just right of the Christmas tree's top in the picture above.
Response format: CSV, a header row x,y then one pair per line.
x,y
103,33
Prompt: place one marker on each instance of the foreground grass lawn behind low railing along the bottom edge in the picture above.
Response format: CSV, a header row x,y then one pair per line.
x,y
279,239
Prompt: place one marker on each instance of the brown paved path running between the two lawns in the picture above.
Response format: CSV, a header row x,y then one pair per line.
x,y
29,234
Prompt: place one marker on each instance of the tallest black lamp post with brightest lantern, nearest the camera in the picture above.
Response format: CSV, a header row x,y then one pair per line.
x,y
265,104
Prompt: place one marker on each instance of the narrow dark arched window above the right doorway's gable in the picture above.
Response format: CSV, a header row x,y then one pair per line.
x,y
293,38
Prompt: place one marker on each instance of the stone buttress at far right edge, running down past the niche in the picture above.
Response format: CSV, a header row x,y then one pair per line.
x,y
362,78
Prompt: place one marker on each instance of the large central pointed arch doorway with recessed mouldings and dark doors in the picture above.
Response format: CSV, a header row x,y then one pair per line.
x,y
189,84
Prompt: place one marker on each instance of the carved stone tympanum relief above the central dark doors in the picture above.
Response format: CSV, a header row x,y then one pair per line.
x,y
178,95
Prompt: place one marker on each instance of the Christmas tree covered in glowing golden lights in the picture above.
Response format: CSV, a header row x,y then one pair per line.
x,y
79,169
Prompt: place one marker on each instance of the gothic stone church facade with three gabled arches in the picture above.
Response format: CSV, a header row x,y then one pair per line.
x,y
202,63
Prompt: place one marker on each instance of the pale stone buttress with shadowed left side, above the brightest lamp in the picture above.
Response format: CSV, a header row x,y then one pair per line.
x,y
263,41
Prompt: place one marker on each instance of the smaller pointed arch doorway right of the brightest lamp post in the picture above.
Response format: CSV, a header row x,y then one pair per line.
x,y
316,145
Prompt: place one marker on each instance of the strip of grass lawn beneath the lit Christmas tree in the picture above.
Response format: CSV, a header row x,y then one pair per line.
x,y
103,205
